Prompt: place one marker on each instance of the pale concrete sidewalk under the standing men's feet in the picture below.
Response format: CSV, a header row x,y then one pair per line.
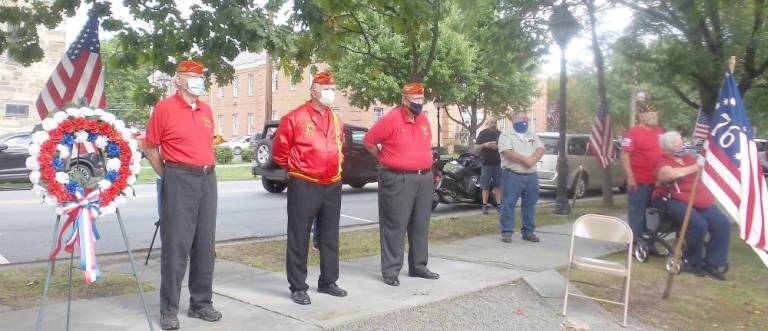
x,y
253,299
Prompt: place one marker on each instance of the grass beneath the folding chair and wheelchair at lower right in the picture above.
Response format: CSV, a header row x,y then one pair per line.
x,y
695,303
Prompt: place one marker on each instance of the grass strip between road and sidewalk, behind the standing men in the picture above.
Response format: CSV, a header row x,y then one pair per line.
x,y
353,244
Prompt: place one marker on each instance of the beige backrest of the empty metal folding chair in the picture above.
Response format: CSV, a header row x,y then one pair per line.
x,y
601,227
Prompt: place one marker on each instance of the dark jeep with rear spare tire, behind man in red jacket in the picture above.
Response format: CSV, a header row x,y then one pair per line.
x,y
359,168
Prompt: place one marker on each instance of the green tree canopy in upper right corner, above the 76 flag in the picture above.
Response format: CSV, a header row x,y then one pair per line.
x,y
685,45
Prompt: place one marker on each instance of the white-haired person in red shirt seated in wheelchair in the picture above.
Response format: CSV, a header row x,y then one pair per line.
x,y
675,174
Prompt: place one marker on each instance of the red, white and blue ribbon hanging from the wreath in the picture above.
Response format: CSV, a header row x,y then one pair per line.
x,y
82,232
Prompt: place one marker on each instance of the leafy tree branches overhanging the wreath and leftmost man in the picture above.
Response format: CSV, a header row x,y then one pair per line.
x,y
215,32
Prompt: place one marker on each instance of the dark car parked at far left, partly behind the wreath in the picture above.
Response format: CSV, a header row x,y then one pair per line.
x,y
14,153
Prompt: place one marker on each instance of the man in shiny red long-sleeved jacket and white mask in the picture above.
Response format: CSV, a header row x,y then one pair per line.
x,y
308,145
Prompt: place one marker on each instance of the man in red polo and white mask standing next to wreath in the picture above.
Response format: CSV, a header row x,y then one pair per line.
x,y
179,145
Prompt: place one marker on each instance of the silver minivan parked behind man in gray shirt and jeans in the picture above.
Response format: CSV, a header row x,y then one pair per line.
x,y
580,160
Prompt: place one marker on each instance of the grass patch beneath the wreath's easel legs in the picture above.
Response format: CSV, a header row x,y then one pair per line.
x,y
22,287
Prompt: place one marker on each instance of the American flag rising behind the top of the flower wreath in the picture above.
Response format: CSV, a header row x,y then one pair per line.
x,y
79,77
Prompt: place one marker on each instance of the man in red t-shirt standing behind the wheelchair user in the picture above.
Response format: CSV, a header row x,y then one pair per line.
x,y
640,151
